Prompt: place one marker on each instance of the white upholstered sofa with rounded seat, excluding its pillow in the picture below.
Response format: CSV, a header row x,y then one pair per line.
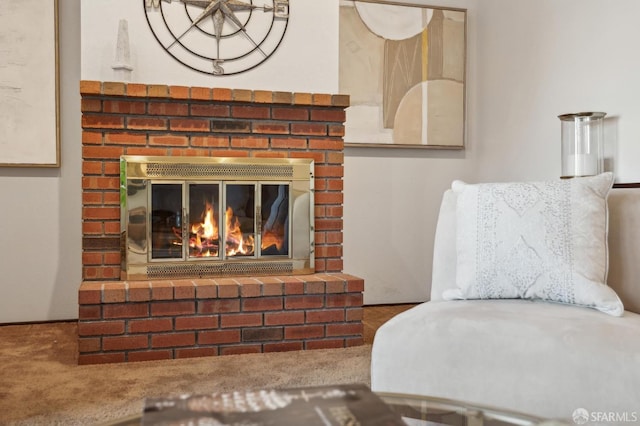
x,y
535,357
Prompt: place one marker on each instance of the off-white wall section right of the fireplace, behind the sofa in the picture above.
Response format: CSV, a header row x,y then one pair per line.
x,y
528,62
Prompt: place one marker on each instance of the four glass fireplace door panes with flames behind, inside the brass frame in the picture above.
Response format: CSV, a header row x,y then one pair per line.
x,y
188,223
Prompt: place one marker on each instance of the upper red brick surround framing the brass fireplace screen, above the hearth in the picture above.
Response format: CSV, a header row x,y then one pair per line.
x,y
138,119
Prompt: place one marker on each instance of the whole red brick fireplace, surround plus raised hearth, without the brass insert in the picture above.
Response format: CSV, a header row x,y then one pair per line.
x,y
126,320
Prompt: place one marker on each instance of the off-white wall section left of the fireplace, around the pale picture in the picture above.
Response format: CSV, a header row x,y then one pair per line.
x,y
40,217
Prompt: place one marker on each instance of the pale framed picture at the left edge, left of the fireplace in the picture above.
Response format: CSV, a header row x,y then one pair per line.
x,y
29,84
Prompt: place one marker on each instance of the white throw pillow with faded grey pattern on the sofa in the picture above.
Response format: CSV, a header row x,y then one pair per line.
x,y
535,240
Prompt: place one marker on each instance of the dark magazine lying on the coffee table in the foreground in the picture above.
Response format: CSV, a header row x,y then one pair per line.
x,y
335,405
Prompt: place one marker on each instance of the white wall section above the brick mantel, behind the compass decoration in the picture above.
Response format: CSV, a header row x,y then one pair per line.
x,y
306,61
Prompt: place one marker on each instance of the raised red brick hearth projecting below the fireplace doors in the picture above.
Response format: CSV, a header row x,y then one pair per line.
x,y
141,320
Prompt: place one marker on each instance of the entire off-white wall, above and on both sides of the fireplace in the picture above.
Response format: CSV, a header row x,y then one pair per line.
x,y
528,61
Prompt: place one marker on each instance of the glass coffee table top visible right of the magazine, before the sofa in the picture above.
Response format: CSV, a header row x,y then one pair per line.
x,y
430,411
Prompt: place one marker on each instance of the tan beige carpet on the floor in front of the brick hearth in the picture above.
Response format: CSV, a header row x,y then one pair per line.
x,y
41,383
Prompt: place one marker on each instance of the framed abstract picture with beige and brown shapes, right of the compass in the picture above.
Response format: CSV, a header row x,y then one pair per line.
x,y
404,67
